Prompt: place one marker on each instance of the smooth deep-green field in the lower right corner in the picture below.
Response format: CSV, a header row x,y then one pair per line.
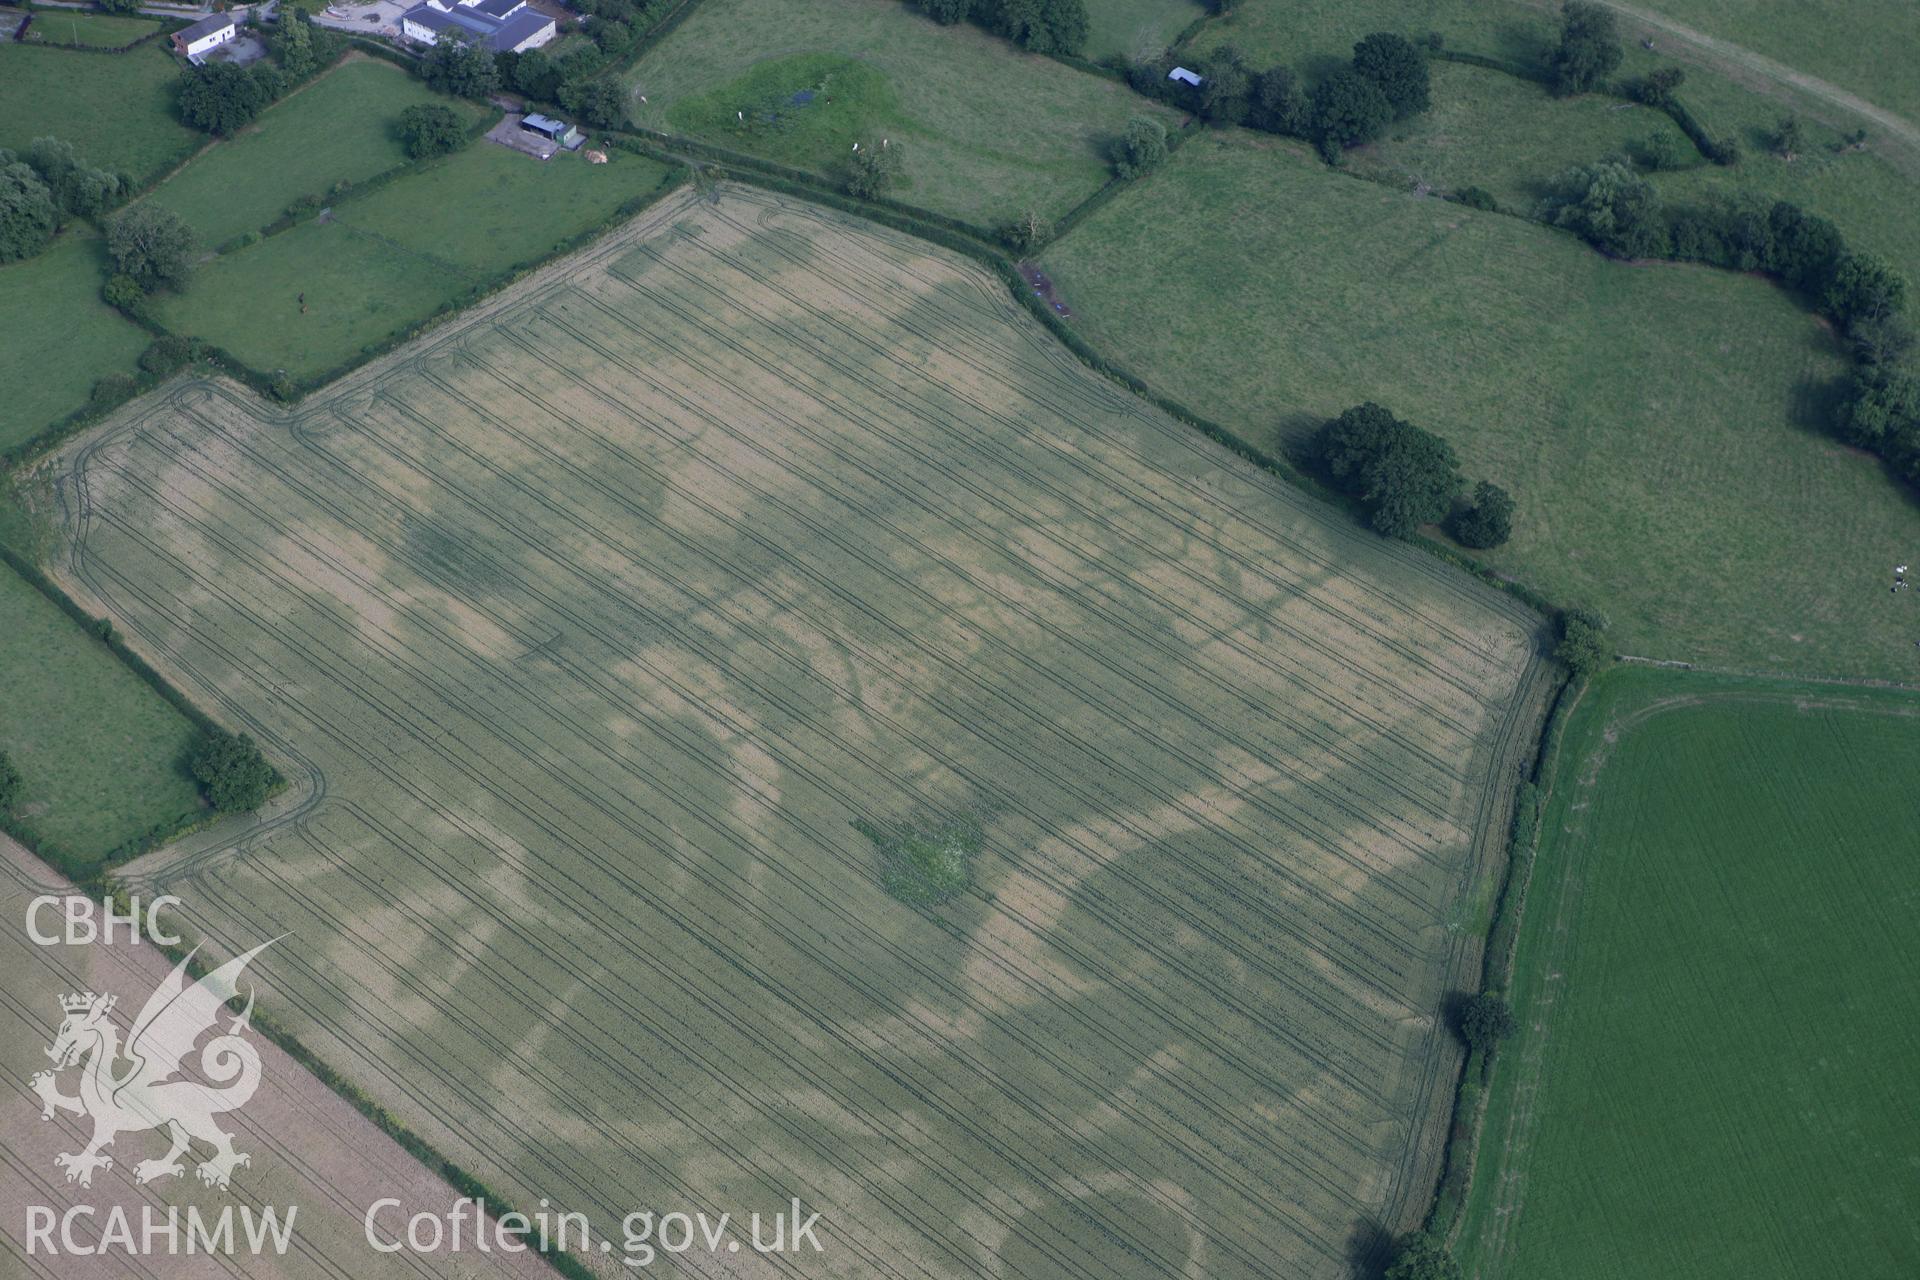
x,y
1719,995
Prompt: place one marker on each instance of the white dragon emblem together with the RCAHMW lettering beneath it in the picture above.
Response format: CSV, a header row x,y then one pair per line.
x,y
133,1085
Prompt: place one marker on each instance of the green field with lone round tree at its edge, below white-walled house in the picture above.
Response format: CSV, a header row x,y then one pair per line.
x,y
343,128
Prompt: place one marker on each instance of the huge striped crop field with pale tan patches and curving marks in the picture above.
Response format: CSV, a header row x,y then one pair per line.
x,y
592,627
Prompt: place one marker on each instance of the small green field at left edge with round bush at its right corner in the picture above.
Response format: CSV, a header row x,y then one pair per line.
x,y
99,751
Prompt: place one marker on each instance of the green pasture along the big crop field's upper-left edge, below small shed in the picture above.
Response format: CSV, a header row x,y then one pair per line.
x,y
391,260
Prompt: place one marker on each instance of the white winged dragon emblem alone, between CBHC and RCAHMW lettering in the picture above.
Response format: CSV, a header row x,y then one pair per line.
x,y
151,1091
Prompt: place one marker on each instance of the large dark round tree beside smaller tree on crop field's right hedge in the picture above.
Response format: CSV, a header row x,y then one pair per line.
x,y
1406,477
